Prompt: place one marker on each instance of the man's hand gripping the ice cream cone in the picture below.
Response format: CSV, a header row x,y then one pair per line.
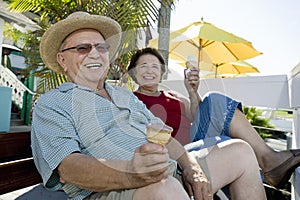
x,y
148,165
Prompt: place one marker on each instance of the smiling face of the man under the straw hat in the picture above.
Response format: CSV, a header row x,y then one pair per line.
x,y
84,68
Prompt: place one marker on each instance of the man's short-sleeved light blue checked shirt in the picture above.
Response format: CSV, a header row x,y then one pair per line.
x,y
72,118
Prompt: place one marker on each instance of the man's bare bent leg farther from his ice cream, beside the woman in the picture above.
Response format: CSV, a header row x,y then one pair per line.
x,y
233,162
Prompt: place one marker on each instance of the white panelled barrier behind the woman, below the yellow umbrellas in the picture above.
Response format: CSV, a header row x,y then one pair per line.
x,y
277,92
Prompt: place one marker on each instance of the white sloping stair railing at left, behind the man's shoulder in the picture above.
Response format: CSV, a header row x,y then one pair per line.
x,y
19,92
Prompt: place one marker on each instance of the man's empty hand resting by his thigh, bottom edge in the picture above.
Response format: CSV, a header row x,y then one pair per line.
x,y
197,183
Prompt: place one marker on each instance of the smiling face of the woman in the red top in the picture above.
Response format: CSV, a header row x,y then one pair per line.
x,y
148,70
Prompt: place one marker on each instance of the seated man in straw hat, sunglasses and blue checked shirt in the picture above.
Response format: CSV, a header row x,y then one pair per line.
x,y
89,138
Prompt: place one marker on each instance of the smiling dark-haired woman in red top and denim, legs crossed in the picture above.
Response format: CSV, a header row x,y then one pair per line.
x,y
216,115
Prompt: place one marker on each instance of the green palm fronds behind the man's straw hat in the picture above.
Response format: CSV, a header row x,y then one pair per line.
x,y
132,15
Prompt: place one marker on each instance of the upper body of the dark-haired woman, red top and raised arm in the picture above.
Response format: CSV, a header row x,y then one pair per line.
x,y
175,111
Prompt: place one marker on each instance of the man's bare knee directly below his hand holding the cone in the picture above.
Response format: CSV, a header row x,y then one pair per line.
x,y
163,190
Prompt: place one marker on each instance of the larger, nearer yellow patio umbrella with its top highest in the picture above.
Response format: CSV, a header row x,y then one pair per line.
x,y
208,44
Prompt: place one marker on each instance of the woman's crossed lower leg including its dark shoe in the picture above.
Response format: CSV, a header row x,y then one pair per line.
x,y
278,166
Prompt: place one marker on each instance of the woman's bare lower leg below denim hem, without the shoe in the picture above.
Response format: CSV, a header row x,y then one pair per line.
x,y
266,156
